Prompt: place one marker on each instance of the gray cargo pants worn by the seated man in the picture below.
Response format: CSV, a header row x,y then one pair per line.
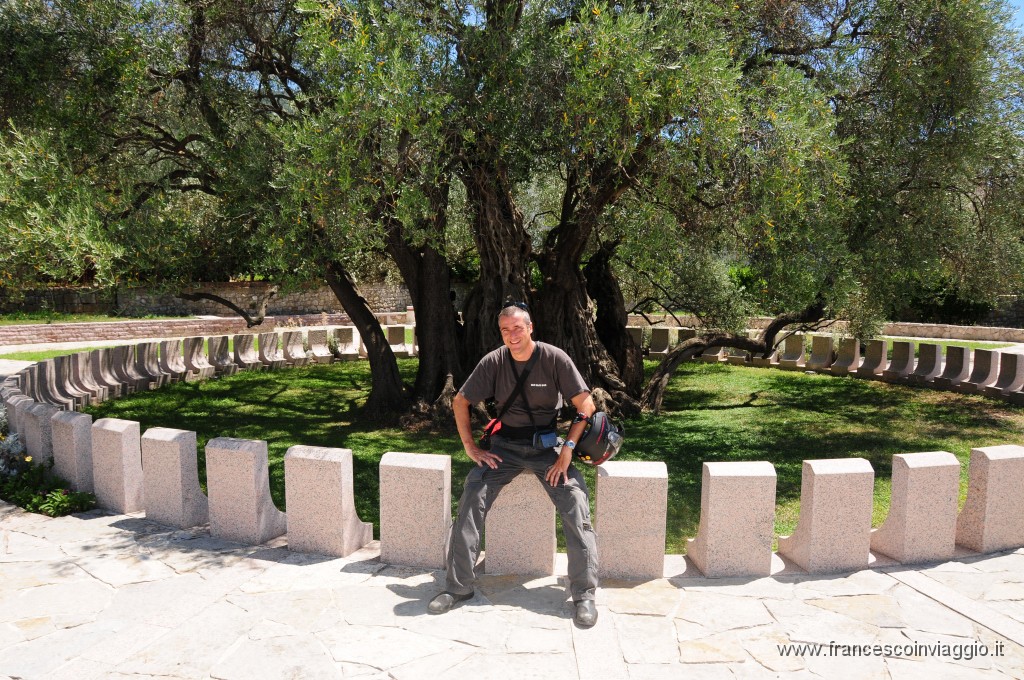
x,y
483,487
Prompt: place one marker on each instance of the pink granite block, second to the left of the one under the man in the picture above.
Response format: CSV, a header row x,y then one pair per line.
x,y
321,501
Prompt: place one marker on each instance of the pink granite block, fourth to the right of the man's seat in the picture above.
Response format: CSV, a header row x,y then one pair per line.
x,y
922,522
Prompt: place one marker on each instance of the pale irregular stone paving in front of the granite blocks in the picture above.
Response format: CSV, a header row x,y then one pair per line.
x,y
117,597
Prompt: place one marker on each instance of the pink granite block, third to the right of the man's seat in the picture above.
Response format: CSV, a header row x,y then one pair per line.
x,y
834,533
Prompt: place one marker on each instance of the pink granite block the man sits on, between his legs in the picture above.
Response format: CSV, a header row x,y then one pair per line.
x,y
520,531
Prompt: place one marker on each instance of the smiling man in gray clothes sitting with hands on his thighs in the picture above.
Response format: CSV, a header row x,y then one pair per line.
x,y
527,441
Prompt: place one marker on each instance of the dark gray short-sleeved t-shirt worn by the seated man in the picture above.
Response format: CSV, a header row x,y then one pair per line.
x,y
553,377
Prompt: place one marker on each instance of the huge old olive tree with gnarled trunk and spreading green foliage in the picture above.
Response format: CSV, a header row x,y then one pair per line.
x,y
808,159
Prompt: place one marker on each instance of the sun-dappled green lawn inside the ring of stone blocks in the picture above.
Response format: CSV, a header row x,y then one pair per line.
x,y
712,413
